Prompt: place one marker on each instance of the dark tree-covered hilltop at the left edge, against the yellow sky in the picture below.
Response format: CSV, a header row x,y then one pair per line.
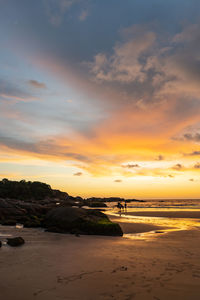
x,y
25,190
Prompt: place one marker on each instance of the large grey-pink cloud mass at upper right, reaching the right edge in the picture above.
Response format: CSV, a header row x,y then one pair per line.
x,y
146,70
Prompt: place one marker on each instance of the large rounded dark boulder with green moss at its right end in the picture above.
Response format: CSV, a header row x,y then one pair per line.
x,y
80,221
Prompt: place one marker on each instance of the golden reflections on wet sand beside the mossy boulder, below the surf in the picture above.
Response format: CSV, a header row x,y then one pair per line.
x,y
147,223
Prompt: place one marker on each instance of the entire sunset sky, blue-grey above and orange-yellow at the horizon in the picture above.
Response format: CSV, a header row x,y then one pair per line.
x,y
101,98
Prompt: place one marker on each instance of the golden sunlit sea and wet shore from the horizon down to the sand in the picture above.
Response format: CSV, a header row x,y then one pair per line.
x,y
165,215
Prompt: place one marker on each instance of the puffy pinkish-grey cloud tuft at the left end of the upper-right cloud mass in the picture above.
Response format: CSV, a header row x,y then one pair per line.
x,y
123,65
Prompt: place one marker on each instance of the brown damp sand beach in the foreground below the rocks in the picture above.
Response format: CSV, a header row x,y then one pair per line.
x,y
56,266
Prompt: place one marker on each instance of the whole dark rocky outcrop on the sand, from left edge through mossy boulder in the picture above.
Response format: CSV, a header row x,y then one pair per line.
x,y
57,216
